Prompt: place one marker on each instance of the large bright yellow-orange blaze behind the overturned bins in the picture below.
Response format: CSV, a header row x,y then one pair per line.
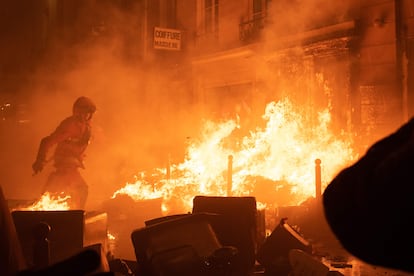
x,y
275,163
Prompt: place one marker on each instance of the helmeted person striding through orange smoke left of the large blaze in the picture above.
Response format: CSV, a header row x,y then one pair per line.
x,y
71,139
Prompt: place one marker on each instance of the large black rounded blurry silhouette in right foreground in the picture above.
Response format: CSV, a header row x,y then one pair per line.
x,y
370,205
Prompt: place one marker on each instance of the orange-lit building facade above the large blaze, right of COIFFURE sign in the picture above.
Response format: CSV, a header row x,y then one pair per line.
x,y
354,57
